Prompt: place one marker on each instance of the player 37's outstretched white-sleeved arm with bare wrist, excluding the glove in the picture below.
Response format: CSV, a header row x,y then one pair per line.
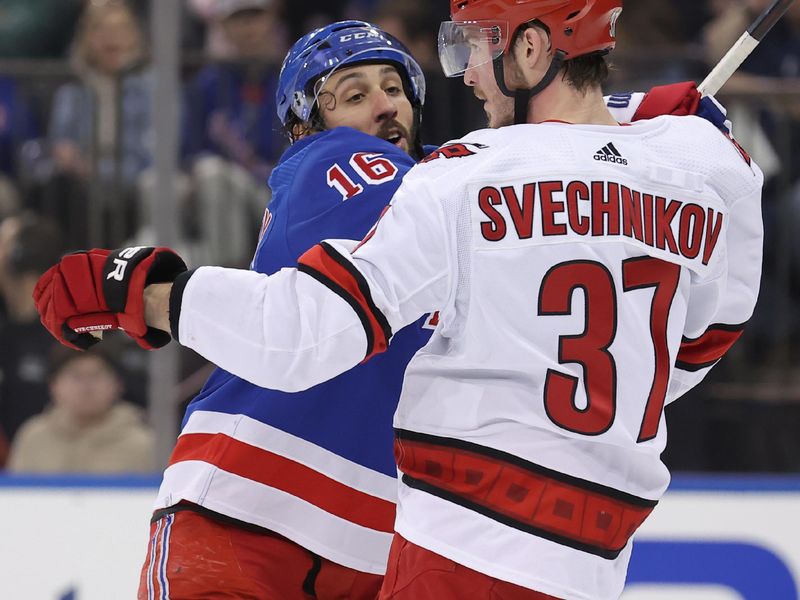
x,y
299,327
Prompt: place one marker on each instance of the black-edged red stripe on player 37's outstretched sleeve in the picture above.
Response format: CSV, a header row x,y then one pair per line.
x,y
335,272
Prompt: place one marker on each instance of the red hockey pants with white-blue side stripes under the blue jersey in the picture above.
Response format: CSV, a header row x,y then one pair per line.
x,y
194,557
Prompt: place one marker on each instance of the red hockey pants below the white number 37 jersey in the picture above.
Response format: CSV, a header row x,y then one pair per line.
x,y
415,573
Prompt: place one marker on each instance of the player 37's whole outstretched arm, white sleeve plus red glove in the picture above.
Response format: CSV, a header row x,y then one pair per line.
x,y
287,331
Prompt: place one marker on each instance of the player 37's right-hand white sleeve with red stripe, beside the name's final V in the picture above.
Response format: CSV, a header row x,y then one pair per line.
x,y
719,309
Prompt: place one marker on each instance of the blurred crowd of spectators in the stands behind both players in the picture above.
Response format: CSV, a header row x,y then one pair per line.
x,y
76,171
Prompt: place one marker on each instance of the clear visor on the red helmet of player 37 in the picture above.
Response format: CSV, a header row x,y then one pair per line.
x,y
468,44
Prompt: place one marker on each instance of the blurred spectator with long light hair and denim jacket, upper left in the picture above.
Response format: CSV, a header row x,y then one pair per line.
x,y
99,127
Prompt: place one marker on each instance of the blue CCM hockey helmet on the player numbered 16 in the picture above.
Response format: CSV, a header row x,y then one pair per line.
x,y
318,54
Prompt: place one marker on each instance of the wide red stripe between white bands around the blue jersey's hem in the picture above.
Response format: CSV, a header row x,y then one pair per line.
x,y
282,473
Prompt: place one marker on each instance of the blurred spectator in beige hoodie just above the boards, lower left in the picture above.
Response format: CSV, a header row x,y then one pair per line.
x,y
88,428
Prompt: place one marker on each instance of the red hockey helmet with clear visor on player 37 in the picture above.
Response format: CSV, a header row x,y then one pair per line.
x,y
482,30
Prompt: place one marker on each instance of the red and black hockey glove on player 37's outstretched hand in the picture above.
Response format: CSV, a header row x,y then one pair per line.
x,y
104,289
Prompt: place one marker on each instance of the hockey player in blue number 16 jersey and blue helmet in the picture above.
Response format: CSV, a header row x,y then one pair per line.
x,y
272,496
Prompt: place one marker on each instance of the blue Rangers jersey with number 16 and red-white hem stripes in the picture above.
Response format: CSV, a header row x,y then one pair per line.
x,y
315,466
